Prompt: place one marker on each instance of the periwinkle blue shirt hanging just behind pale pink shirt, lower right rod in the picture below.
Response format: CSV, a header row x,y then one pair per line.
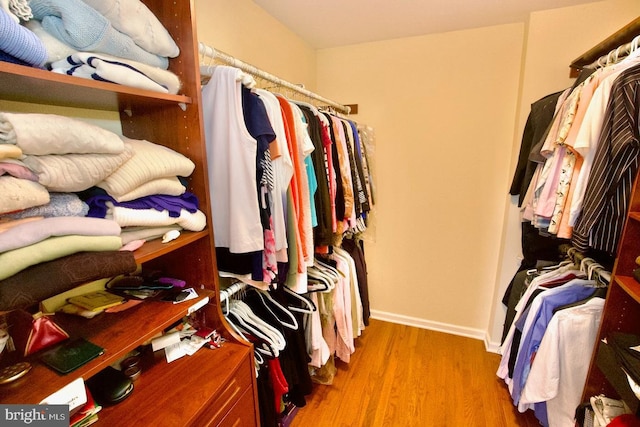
x,y
573,291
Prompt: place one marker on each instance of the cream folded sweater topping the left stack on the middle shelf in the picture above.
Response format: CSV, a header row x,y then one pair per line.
x,y
40,134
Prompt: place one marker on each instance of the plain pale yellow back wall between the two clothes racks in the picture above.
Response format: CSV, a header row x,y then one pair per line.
x,y
443,107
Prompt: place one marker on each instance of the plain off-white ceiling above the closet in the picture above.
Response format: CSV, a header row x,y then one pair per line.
x,y
331,23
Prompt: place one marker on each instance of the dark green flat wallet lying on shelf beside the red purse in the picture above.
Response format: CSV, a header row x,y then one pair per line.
x,y
71,355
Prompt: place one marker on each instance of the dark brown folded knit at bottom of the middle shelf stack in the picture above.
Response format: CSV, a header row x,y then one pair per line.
x,y
47,279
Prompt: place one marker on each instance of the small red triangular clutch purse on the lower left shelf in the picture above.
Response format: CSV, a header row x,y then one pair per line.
x,y
33,332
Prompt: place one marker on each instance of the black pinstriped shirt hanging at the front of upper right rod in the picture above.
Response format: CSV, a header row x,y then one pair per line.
x,y
614,169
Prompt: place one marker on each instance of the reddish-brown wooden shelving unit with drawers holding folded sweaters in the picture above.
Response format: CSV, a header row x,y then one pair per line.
x,y
212,387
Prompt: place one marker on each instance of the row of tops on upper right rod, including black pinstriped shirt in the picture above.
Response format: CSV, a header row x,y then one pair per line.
x,y
588,160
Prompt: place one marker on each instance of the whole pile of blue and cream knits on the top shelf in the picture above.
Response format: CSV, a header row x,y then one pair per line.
x,y
116,41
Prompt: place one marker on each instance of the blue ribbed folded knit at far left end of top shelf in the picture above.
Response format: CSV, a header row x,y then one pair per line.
x,y
20,43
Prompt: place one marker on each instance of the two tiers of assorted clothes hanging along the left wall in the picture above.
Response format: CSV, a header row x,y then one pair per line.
x,y
290,186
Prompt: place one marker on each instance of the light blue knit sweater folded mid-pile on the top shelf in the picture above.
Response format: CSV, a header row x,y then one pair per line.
x,y
85,29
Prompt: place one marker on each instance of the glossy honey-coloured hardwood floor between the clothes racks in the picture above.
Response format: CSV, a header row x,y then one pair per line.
x,y
407,376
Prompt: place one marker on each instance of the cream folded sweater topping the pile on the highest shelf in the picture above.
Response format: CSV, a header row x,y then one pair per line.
x,y
134,19
